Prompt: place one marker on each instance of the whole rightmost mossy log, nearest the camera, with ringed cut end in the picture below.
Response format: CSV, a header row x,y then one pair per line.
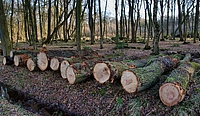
x,y
174,89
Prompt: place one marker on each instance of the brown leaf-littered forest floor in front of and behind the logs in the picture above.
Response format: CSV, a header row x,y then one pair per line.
x,y
90,97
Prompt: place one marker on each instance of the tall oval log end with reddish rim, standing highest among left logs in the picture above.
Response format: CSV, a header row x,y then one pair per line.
x,y
42,61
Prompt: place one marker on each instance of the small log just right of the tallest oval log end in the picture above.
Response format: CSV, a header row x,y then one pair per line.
x,y
55,63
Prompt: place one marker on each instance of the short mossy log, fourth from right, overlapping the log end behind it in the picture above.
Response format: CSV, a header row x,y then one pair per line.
x,y
78,72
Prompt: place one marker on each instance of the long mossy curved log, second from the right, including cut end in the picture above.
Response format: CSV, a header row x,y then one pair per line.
x,y
138,79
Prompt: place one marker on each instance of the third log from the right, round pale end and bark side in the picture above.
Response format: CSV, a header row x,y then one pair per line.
x,y
105,71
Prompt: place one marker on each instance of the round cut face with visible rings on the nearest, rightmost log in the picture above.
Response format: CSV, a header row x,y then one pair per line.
x,y
170,94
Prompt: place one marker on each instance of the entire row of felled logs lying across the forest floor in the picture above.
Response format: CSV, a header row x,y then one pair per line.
x,y
135,76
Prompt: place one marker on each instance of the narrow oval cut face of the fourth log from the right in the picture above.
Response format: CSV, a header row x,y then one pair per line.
x,y
70,74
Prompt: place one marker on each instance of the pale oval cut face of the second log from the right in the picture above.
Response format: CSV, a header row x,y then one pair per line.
x,y
129,81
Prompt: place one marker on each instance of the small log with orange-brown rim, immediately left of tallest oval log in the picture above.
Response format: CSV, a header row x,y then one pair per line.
x,y
31,64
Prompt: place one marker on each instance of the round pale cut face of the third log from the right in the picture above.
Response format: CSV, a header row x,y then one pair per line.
x,y
101,72
